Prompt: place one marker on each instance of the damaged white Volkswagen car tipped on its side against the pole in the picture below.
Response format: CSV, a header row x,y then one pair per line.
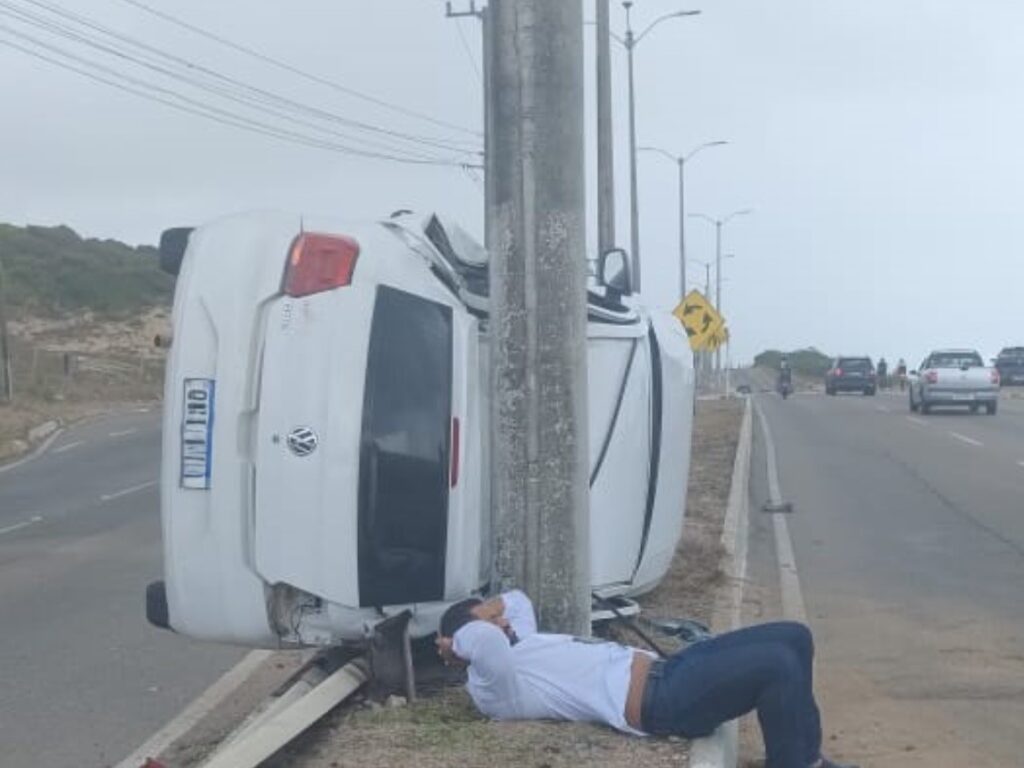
x,y
325,449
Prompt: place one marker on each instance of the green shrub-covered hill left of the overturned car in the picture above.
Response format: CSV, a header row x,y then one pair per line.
x,y
53,272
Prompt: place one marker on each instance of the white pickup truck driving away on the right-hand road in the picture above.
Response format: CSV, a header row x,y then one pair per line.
x,y
955,377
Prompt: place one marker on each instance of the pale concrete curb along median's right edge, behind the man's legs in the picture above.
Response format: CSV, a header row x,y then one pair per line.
x,y
721,750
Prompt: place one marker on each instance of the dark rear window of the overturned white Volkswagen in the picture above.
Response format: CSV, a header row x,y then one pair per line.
x,y
405,452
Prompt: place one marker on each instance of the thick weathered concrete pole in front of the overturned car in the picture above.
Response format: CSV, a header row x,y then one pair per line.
x,y
539,458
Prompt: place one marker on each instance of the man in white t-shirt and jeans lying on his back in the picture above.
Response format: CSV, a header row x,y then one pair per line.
x,y
518,673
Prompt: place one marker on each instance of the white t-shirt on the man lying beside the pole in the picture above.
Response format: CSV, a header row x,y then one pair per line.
x,y
544,676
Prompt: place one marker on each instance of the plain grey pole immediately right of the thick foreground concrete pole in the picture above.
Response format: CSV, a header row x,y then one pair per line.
x,y
606,144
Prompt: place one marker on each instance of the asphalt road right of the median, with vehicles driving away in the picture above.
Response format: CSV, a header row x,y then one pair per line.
x,y
909,537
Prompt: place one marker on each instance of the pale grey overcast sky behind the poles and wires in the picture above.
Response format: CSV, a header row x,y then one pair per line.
x,y
881,144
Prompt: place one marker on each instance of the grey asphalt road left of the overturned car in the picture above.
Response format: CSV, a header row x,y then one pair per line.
x,y
86,679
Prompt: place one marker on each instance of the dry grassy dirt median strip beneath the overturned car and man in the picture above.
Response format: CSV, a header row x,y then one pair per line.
x,y
444,730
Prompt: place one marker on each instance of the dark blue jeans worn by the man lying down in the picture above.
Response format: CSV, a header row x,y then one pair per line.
x,y
767,668
